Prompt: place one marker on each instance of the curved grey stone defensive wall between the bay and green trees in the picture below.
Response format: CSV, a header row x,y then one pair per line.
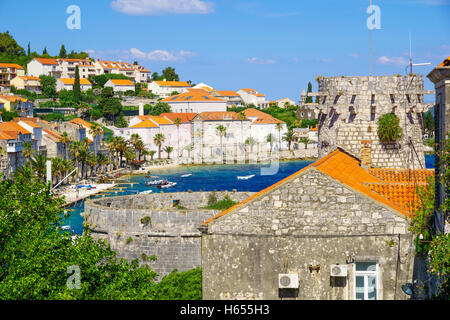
x,y
161,224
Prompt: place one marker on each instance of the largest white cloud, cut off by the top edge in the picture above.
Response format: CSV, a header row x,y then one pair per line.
x,y
160,7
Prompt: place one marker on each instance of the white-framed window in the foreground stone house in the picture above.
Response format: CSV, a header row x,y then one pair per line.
x,y
366,281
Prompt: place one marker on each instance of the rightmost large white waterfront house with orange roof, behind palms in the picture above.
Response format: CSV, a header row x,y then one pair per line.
x,y
263,124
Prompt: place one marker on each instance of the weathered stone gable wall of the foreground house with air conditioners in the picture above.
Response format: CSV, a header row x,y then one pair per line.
x,y
303,226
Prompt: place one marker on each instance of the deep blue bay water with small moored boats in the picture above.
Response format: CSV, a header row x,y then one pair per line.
x,y
206,178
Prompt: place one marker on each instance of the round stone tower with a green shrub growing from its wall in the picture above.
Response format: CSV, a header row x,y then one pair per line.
x,y
349,108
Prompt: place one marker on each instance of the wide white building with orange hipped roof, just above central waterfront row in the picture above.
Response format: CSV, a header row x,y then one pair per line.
x,y
195,102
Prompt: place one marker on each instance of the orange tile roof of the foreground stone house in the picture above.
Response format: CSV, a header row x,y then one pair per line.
x,y
347,169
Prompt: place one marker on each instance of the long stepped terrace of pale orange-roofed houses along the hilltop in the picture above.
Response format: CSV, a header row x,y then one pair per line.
x,y
137,73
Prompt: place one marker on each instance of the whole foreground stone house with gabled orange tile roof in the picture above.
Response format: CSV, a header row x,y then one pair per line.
x,y
334,215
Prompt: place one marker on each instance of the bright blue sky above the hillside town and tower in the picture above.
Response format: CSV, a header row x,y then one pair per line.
x,y
275,47
